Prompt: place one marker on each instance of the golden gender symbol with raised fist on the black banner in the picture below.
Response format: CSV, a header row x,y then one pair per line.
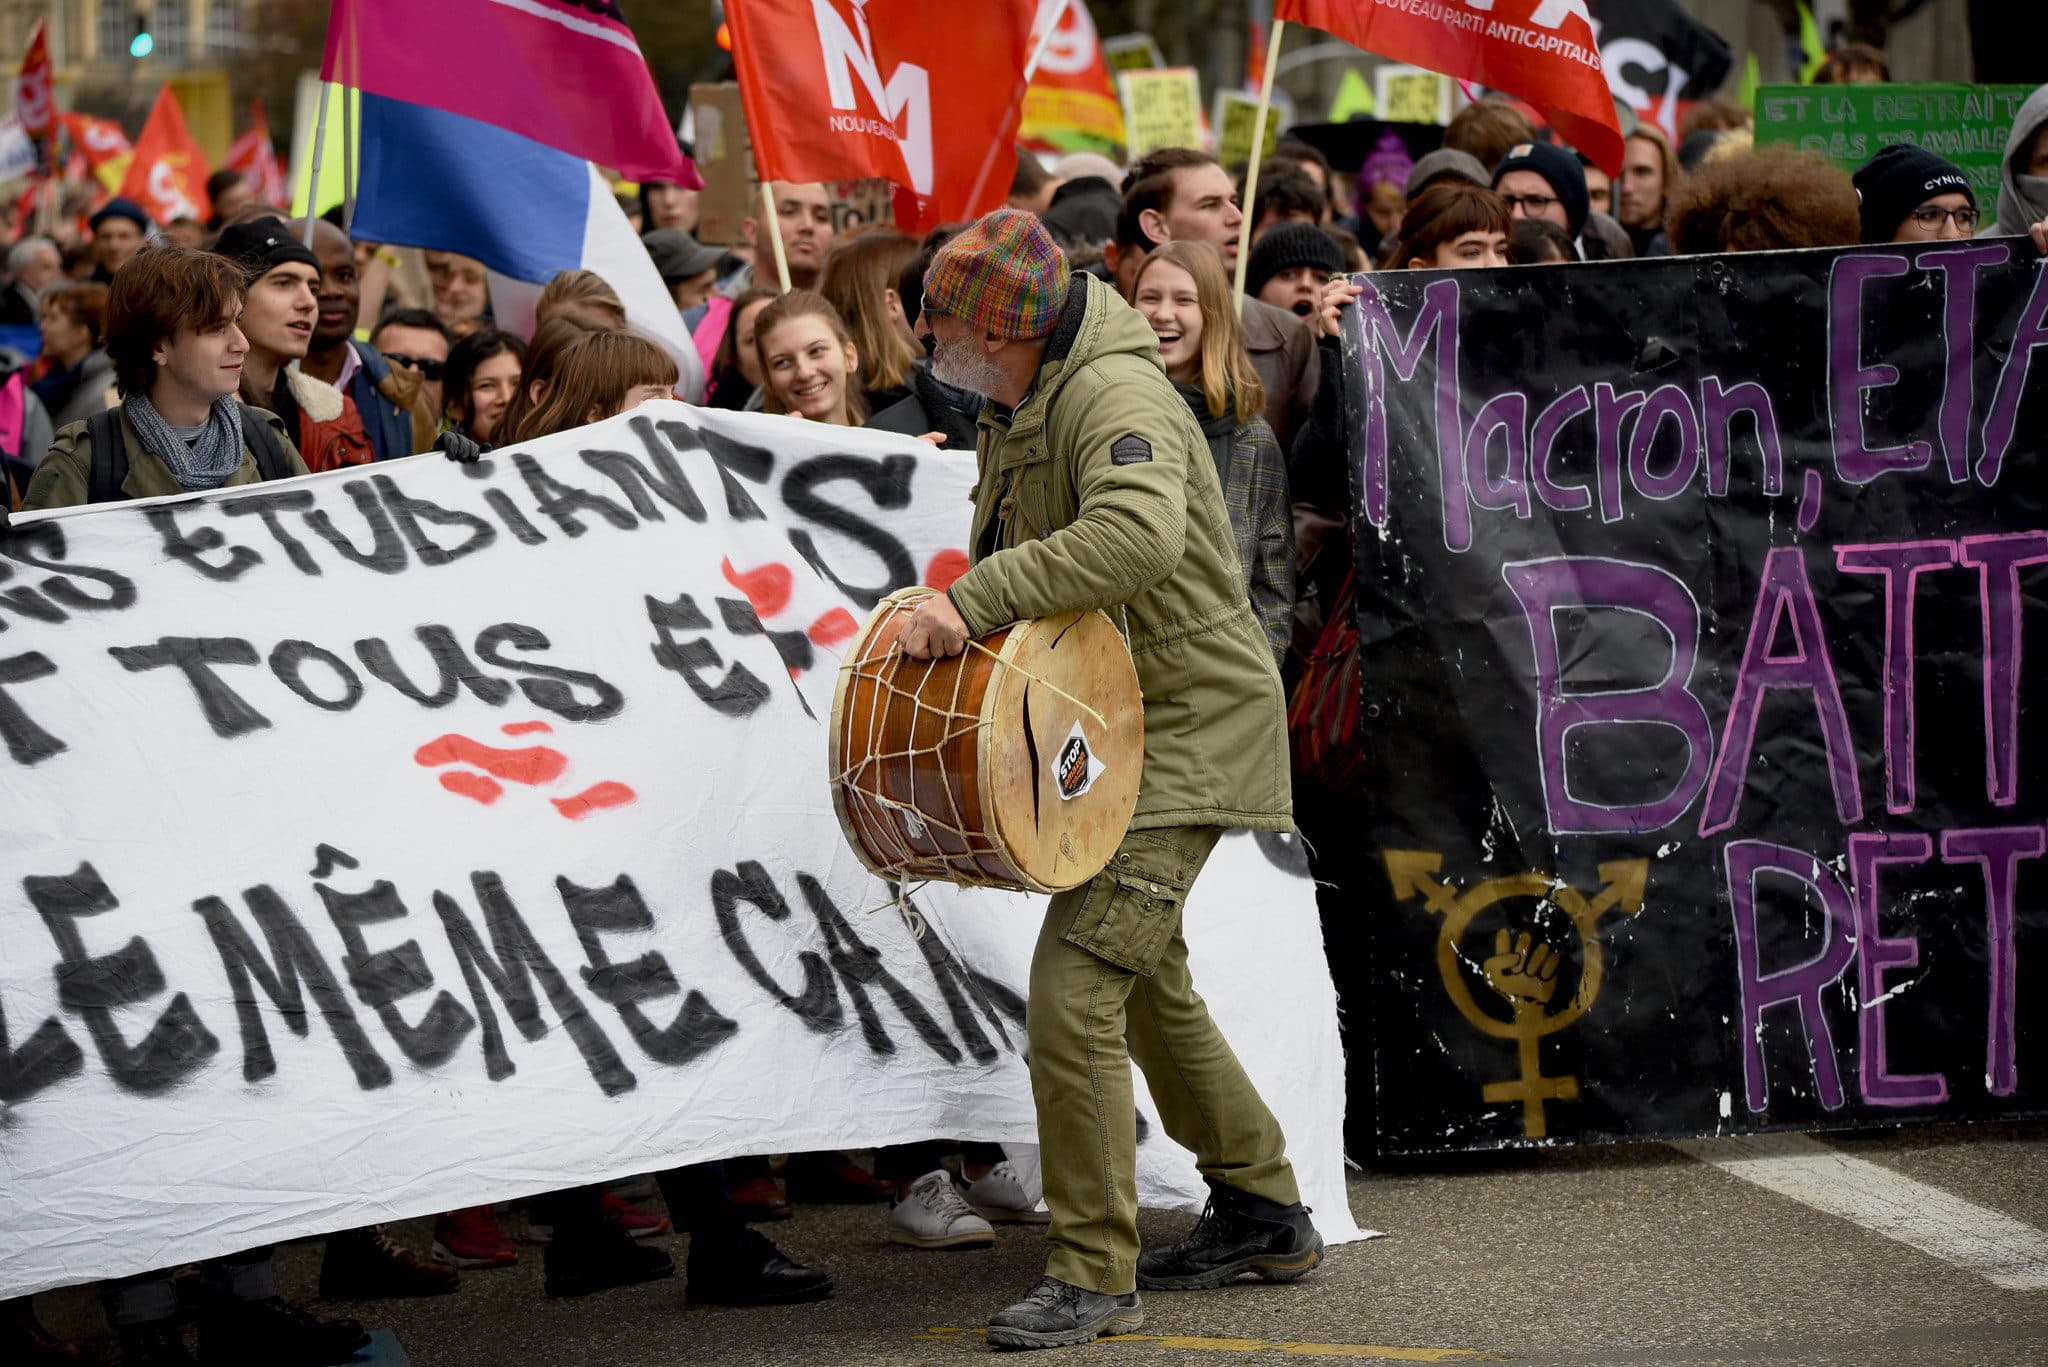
x,y
1523,968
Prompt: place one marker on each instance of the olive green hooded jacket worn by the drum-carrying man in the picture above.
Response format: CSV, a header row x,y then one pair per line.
x,y
1099,493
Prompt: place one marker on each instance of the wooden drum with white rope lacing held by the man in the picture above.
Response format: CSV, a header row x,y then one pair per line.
x,y
1013,765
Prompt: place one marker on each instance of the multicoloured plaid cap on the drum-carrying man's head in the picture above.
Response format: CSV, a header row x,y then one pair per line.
x,y
1002,276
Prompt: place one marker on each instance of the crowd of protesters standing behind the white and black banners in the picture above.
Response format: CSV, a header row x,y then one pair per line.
x,y
257,347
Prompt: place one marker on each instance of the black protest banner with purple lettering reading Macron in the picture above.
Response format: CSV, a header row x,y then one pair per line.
x,y
1703,612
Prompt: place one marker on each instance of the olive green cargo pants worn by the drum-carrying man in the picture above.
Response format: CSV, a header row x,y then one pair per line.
x,y
1109,985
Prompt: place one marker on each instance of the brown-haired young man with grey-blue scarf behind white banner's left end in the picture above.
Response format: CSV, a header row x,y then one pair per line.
x,y
179,351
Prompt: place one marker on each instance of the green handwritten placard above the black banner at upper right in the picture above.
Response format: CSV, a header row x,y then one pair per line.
x,y
1848,124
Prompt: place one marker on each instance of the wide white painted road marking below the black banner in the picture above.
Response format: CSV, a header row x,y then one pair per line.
x,y
1971,1237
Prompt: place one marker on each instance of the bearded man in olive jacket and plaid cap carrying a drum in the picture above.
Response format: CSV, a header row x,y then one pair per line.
x,y
1099,493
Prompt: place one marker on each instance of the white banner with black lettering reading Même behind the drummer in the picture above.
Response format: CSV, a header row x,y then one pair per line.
x,y
419,835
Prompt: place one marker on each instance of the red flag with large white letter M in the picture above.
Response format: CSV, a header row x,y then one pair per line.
x,y
855,89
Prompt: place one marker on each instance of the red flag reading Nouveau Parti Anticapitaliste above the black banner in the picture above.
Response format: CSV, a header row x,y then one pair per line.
x,y
1539,50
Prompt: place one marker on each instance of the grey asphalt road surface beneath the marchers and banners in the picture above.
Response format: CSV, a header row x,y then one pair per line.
x,y
1584,1257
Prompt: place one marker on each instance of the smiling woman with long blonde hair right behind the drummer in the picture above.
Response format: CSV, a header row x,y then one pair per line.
x,y
1189,304
